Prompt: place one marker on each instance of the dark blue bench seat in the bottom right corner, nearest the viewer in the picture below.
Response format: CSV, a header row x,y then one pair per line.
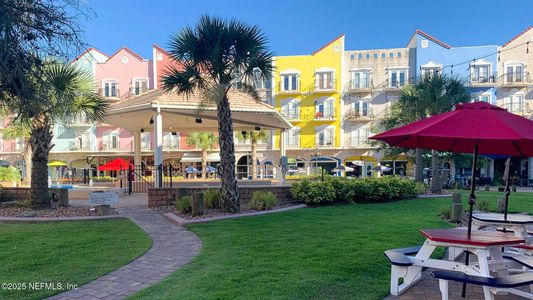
x,y
507,282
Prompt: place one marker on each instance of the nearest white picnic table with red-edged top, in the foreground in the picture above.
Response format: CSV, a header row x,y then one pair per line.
x,y
486,245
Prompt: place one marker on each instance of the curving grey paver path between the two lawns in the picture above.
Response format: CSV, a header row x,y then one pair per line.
x,y
172,248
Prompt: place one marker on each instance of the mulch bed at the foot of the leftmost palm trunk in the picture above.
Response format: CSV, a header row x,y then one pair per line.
x,y
27,212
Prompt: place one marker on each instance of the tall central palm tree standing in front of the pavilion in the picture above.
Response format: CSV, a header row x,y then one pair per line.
x,y
215,56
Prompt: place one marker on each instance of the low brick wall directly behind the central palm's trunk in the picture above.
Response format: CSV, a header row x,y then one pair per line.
x,y
167,196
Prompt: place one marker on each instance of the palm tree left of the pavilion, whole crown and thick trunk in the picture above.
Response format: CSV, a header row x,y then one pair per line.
x,y
63,92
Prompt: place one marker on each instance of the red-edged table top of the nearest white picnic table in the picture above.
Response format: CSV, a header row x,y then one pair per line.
x,y
459,236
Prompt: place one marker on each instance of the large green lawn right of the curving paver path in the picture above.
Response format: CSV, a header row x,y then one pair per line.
x,y
312,253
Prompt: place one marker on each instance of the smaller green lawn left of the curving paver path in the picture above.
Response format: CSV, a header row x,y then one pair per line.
x,y
68,252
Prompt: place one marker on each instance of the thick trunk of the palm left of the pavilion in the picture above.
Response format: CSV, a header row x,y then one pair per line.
x,y
41,143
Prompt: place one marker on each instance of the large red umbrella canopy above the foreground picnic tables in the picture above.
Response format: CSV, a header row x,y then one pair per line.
x,y
493,129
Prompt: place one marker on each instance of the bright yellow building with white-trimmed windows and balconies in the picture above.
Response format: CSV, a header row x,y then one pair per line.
x,y
307,90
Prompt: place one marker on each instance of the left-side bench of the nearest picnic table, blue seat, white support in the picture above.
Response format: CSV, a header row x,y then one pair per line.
x,y
399,266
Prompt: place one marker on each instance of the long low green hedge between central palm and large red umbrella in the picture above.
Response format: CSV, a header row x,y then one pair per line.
x,y
346,190
